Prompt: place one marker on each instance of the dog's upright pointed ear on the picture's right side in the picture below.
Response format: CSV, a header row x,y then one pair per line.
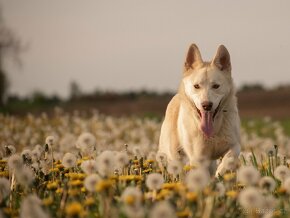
x,y
222,59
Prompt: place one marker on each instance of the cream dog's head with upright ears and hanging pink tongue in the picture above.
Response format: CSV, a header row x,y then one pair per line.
x,y
207,84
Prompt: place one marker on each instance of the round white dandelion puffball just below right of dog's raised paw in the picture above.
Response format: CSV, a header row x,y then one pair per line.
x,y
248,175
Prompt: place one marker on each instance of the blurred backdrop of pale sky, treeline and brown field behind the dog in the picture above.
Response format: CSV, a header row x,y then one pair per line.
x,y
126,57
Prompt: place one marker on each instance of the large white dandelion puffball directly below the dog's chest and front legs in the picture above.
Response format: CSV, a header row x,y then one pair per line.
x,y
197,179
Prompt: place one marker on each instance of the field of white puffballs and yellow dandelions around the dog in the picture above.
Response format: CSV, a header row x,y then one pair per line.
x,y
72,165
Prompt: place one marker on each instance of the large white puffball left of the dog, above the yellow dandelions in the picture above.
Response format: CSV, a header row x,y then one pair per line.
x,y
106,163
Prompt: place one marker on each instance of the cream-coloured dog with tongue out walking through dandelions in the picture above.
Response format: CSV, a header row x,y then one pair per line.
x,y
202,119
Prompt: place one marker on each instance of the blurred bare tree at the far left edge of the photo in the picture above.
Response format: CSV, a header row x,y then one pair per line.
x,y
10,46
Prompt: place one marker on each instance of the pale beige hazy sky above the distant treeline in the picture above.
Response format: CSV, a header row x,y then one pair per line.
x,y
133,44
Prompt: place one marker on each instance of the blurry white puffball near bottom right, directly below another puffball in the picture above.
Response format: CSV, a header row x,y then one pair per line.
x,y
250,198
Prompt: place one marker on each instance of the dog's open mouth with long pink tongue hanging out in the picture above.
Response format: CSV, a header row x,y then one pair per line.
x,y
207,119
